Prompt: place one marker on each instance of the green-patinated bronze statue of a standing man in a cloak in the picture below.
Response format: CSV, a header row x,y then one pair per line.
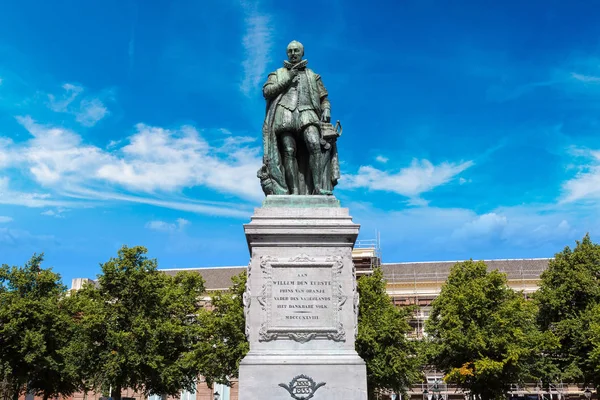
x,y
297,158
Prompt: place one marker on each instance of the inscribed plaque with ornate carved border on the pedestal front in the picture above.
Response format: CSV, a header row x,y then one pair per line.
x,y
301,299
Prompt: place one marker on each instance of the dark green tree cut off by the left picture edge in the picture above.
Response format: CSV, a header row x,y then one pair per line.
x,y
35,331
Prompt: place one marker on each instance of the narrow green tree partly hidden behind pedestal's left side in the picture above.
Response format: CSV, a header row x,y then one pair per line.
x,y
223,341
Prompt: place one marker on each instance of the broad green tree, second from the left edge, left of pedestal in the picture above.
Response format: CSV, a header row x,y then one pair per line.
x,y
137,326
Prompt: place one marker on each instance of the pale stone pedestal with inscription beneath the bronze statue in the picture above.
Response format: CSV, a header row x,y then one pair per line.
x,y
301,303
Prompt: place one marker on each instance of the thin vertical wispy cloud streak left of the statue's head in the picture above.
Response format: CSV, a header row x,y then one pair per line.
x,y
257,42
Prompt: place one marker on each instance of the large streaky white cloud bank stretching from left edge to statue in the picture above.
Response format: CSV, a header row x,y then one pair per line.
x,y
154,165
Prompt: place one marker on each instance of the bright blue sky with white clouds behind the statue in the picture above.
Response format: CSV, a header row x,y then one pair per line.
x,y
470,129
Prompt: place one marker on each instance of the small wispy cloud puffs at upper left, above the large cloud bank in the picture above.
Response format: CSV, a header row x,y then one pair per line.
x,y
89,110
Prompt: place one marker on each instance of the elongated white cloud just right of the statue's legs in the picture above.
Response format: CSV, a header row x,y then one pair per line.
x,y
420,177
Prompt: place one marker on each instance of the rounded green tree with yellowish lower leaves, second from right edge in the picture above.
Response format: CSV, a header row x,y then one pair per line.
x,y
482,333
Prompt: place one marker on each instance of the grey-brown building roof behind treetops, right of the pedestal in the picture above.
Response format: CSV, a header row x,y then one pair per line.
x,y
438,271
